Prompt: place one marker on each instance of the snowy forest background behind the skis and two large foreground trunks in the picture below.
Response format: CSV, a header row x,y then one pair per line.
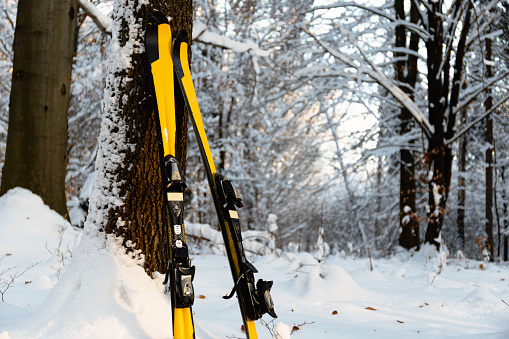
x,y
374,124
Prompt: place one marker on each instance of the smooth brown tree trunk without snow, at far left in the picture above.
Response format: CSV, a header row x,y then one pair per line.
x,y
36,152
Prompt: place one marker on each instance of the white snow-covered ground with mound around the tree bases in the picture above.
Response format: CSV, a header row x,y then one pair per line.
x,y
57,282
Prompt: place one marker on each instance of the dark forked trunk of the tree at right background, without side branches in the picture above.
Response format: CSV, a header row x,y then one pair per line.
x,y
443,98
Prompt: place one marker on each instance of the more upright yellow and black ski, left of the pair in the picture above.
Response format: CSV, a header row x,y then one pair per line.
x,y
179,273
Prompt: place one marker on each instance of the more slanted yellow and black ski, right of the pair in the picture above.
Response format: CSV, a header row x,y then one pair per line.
x,y
254,300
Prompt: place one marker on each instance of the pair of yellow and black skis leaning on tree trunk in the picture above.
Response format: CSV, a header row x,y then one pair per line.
x,y
168,61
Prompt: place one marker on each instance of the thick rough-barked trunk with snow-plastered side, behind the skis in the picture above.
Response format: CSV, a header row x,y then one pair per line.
x,y
131,204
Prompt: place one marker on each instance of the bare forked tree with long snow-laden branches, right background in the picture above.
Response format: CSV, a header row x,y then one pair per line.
x,y
447,34
